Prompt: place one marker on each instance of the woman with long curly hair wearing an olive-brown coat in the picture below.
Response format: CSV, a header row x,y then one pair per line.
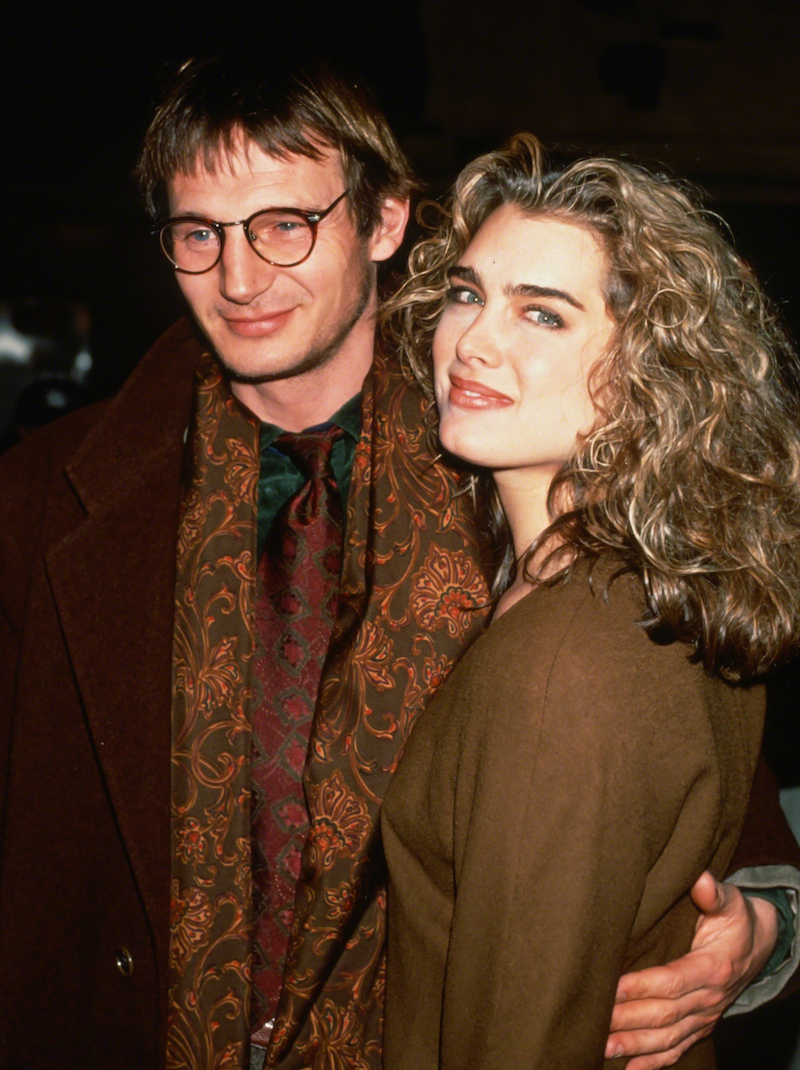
x,y
603,353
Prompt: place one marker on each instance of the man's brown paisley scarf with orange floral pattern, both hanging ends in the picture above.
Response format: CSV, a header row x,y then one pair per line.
x,y
412,598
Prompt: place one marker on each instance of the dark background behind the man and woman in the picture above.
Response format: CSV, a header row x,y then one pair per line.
x,y
706,90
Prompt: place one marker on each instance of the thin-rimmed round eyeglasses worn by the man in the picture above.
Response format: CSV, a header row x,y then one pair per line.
x,y
284,237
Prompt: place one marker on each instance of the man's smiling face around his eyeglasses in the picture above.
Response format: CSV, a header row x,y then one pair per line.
x,y
271,324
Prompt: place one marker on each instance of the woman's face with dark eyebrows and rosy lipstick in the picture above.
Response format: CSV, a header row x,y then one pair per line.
x,y
526,320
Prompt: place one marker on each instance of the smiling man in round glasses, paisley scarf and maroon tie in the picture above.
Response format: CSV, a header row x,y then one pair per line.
x,y
227,594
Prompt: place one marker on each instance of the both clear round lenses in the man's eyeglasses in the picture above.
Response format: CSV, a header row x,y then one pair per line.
x,y
281,237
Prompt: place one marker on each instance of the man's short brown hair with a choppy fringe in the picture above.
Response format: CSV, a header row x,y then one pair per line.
x,y
211,102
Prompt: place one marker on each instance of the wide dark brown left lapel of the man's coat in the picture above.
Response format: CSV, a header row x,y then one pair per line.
x,y
114,584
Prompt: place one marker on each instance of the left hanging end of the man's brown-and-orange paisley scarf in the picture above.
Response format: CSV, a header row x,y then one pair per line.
x,y
211,888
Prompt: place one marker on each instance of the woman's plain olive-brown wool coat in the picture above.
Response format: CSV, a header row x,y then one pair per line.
x,y
551,812
